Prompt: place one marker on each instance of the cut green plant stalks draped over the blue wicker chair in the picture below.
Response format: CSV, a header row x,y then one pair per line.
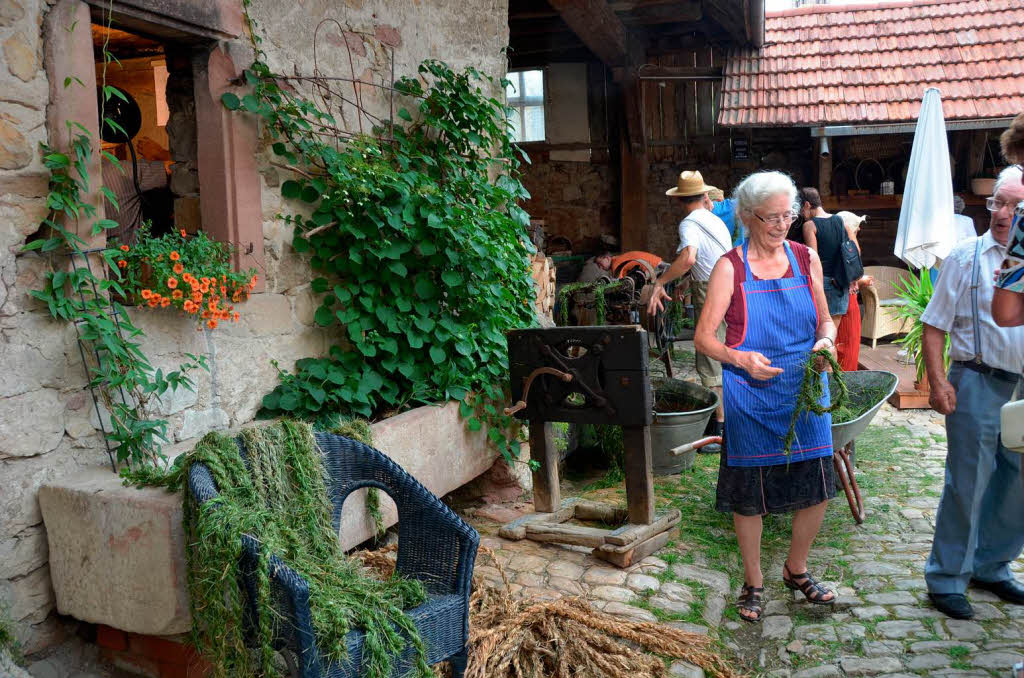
x,y
281,500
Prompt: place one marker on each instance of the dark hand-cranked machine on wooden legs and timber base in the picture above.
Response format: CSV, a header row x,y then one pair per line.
x,y
588,375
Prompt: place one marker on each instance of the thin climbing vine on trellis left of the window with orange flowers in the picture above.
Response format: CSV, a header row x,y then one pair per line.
x,y
119,372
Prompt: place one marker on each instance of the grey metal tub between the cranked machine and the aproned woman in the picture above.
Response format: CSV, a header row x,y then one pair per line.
x,y
671,430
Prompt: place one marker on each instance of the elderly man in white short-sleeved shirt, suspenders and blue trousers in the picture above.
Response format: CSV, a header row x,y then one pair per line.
x,y
979,528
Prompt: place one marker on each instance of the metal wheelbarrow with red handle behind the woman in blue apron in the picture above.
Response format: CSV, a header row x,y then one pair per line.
x,y
861,386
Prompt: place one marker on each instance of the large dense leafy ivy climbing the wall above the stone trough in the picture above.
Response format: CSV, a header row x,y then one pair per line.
x,y
422,261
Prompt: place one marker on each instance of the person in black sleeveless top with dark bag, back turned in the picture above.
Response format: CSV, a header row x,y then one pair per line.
x,y
827,235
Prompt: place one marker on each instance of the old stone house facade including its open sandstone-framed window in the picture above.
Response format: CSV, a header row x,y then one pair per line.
x,y
186,54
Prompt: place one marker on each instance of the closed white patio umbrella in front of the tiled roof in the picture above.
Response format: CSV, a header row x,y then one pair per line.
x,y
926,230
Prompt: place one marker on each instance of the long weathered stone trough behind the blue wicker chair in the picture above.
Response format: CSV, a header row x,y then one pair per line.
x,y
100,531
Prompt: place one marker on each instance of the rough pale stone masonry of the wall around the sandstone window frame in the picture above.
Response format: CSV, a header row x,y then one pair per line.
x,y
48,423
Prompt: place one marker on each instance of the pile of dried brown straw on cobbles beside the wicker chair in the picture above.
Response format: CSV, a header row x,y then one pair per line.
x,y
510,638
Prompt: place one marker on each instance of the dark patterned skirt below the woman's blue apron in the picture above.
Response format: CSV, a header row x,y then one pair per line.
x,y
782,489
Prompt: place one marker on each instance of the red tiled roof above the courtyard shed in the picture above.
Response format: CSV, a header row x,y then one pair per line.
x,y
832,65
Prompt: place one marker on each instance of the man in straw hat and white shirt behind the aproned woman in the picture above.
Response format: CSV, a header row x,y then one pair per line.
x,y
703,239
